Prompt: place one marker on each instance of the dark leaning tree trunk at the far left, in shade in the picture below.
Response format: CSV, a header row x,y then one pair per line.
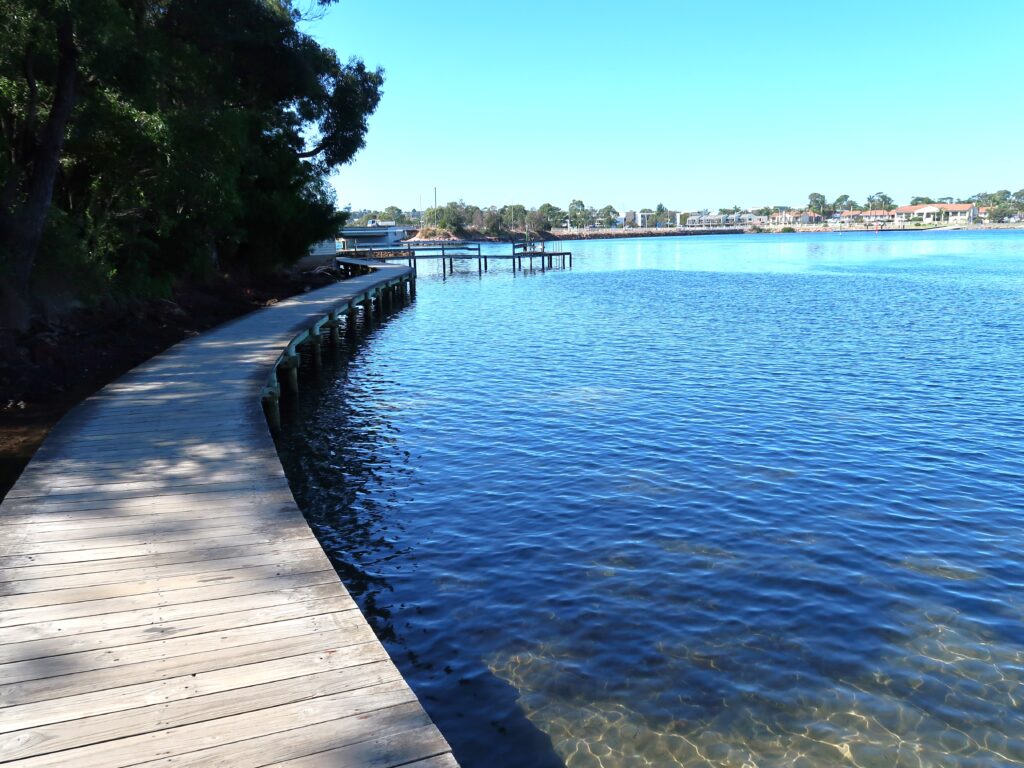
x,y
22,229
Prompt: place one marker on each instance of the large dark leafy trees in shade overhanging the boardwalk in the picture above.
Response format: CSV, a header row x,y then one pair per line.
x,y
145,143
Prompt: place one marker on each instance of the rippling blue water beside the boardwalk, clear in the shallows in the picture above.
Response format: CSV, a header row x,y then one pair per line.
x,y
749,501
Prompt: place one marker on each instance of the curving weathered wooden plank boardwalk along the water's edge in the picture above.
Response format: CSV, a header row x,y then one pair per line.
x,y
163,602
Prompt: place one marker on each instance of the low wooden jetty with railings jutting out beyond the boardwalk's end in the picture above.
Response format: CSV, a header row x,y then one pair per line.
x,y
449,250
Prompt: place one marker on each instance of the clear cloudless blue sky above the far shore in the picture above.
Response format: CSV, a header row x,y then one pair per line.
x,y
689,104
